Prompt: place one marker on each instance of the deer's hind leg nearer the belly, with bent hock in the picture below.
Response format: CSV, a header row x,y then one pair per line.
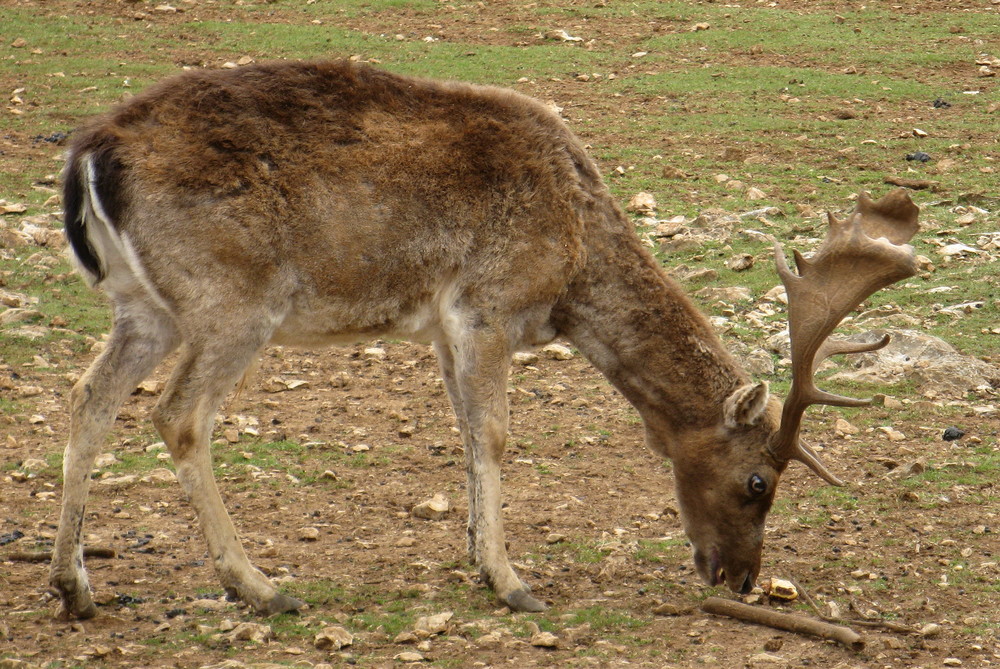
x,y
184,417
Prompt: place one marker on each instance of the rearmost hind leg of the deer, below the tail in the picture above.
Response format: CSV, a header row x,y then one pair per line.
x,y
139,340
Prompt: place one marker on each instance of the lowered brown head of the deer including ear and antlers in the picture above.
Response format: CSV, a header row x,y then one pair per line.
x,y
725,492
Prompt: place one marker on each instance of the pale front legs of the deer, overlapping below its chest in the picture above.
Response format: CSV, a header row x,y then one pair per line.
x,y
475,373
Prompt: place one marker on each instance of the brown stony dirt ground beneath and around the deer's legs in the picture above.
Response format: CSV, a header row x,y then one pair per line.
x,y
376,436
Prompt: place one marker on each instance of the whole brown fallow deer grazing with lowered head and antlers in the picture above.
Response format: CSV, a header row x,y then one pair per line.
x,y
308,203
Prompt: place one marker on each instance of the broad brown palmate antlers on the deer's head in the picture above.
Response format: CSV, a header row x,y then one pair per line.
x,y
860,255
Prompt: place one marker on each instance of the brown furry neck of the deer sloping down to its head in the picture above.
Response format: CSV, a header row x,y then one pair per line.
x,y
635,325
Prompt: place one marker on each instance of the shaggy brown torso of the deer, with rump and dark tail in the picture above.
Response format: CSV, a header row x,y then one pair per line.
x,y
332,190
